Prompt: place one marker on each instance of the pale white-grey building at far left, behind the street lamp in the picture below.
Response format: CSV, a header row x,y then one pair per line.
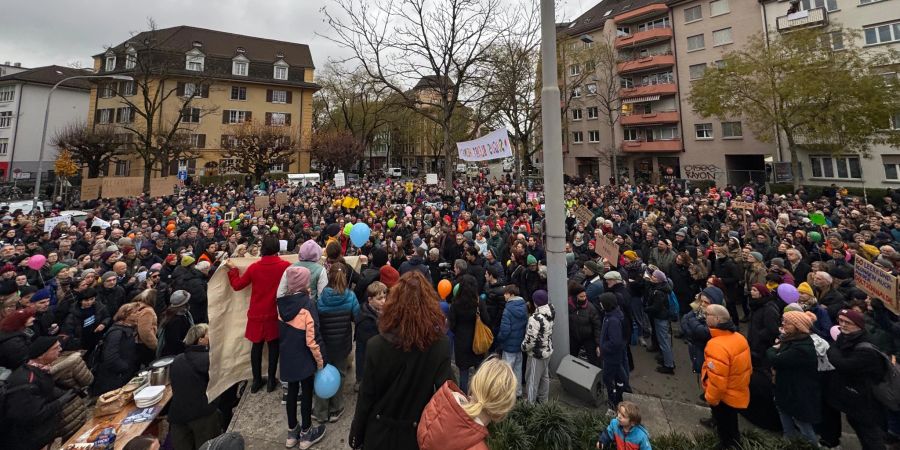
x,y
23,100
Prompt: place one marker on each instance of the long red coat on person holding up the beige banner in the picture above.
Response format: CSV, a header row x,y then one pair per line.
x,y
262,316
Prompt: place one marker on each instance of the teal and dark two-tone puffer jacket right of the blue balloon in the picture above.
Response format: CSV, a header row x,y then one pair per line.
x,y
336,314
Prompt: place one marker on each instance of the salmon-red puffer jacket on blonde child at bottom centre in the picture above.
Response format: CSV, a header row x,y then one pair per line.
x,y
445,425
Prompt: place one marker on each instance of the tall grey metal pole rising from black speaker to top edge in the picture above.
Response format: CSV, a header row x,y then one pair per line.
x,y
553,185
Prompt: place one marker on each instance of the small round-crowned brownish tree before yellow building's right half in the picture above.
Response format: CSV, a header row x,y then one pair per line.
x,y
256,146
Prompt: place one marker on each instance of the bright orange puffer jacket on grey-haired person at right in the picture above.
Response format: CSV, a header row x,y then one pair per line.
x,y
726,369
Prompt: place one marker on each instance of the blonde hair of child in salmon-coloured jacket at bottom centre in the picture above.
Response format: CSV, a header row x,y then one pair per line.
x,y
492,390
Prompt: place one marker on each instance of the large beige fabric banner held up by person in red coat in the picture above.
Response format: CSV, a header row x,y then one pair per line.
x,y
229,351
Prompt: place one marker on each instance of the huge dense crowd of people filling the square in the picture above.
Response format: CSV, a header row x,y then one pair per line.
x,y
763,295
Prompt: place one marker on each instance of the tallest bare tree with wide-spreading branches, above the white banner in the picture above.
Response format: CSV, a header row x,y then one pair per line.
x,y
435,45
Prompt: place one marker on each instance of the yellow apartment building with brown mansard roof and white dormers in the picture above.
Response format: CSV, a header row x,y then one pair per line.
x,y
243,79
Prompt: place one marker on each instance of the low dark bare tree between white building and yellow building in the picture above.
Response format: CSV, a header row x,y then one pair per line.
x,y
90,147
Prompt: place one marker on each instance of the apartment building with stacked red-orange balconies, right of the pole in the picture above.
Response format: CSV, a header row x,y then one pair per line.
x,y
661,47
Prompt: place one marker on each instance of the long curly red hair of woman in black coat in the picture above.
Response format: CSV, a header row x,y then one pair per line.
x,y
412,313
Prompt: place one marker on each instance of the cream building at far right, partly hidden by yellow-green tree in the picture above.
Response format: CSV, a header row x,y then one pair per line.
x,y
879,24
